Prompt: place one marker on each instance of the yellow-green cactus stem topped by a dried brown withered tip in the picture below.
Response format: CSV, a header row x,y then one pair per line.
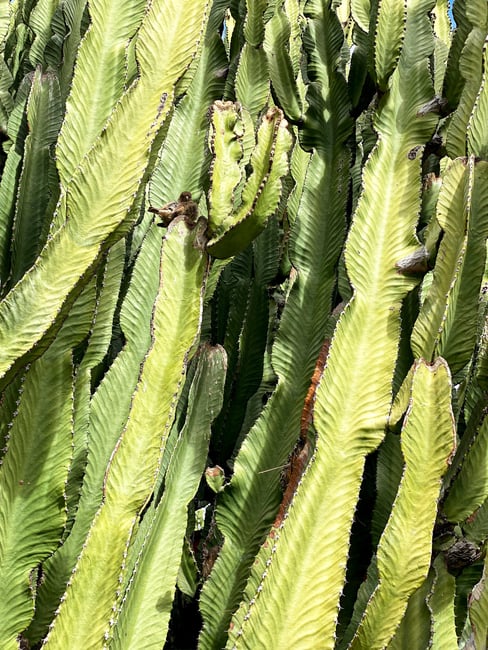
x,y
84,619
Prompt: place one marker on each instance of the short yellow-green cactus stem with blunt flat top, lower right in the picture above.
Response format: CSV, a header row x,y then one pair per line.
x,y
405,547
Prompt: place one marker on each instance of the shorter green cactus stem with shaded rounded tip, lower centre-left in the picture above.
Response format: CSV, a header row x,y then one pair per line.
x,y
146,607
